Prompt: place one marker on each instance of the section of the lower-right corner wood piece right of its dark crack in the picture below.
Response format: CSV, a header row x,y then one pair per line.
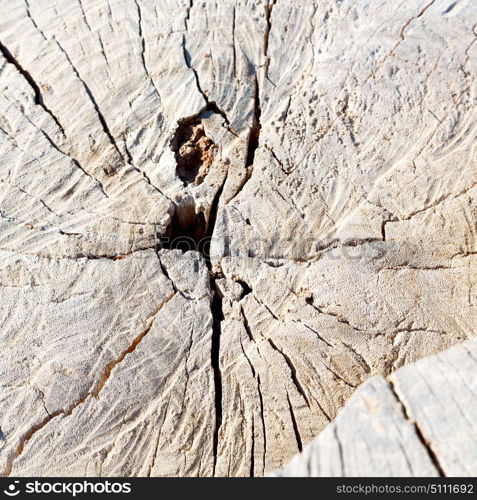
x,y
439,394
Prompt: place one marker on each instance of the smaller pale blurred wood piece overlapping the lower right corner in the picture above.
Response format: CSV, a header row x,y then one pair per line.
x,y
420,423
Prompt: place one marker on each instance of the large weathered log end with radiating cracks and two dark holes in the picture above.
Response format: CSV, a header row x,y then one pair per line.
x,y
327,148
